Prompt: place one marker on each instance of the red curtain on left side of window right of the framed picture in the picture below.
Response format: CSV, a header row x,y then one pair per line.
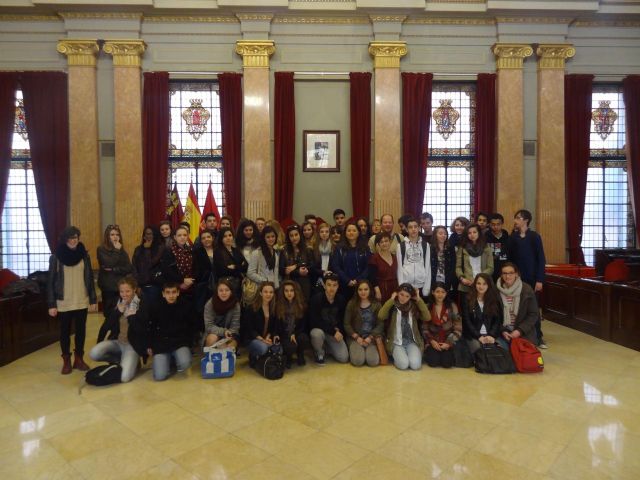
x,y
416,113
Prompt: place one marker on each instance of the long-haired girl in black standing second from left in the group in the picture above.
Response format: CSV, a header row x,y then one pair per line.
x,y
114,264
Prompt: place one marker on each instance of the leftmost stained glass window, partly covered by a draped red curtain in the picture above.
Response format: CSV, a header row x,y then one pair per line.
x,y
24,247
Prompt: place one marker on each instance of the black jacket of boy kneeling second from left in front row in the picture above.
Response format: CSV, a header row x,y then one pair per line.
x,y
169,325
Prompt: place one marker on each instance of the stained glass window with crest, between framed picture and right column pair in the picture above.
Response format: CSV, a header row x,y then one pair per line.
x,y
452,144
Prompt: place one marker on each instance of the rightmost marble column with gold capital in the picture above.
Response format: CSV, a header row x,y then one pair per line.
x,y
550,188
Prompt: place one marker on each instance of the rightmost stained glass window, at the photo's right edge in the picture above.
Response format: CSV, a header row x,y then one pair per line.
x,y
608,218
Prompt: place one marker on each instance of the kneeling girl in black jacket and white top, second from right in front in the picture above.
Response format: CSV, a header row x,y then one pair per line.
x,y
482,318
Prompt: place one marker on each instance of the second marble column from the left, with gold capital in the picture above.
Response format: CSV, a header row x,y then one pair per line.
x,y
127,82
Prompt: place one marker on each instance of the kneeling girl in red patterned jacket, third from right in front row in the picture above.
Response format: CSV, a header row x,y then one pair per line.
x,y
443,330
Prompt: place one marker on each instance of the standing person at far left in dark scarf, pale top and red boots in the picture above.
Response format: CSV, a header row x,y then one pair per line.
x,y
71,294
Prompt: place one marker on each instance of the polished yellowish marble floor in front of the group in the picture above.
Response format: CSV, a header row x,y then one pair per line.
x,y
580,419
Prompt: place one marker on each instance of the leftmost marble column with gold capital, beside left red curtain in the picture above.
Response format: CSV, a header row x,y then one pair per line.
x,y
84,161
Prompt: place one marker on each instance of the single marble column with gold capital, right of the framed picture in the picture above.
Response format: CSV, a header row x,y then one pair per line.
x,y
387,186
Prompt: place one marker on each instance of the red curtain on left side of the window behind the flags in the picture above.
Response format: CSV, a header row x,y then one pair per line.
x,y
155,145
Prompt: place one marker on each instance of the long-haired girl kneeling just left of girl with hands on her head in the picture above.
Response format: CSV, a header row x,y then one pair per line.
x,y
362,325
